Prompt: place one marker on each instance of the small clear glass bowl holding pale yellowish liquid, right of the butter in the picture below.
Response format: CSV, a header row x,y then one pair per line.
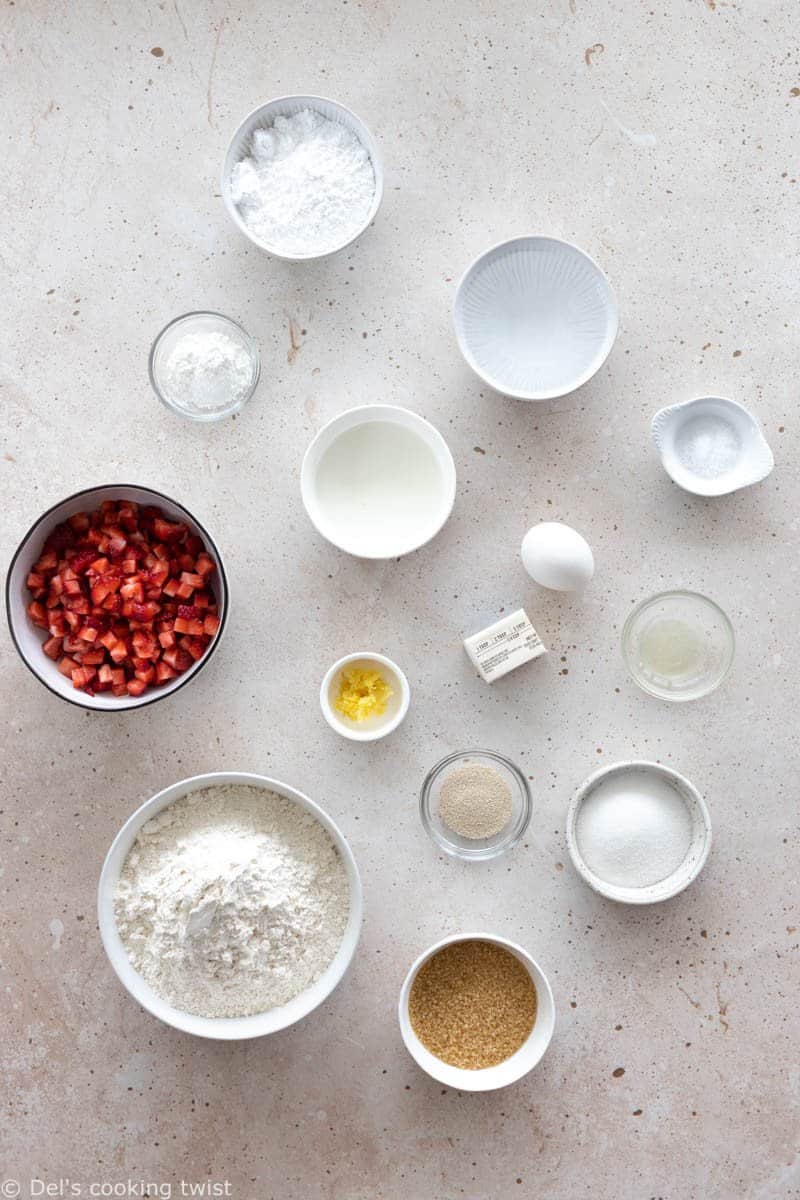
x,y
678,646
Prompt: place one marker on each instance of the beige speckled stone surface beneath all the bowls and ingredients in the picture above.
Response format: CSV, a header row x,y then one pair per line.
x,y
664,140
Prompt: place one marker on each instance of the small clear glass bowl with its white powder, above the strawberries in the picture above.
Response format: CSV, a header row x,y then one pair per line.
x,y
204,367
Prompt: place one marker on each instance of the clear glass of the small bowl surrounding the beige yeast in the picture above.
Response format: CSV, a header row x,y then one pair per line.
x,y
474,849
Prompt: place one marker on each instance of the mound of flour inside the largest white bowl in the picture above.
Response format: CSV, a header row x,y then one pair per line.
x,y
232,902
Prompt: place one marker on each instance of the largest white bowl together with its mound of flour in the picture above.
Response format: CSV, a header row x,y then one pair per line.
x,y
230,905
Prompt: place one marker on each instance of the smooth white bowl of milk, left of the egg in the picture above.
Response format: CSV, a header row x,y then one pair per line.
x,y
378,482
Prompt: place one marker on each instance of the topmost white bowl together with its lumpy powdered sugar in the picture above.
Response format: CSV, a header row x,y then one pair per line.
x,y
303,177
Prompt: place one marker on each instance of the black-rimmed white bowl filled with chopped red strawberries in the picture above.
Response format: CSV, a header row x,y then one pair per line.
x,y
117,597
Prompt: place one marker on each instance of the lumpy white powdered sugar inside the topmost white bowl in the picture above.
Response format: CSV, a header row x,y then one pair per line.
x,y
308,185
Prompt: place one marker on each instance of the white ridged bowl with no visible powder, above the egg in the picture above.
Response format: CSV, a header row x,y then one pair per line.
x,y
536,317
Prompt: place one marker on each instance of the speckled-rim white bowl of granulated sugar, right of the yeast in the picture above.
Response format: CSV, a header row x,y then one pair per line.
x,y
639,832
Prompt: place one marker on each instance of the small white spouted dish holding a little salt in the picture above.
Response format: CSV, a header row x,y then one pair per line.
x,y
712,446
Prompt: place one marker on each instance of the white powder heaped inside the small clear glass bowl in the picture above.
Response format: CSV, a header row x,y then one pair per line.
x,y
206,373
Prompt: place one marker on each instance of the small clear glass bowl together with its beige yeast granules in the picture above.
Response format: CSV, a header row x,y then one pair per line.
x,y
476,805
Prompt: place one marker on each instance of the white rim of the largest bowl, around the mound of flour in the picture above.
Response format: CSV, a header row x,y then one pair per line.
x,y
219,1028
